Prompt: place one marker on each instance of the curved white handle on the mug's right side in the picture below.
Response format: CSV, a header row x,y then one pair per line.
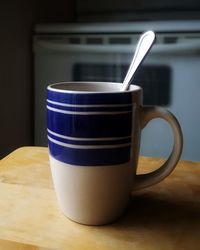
x,y
147,114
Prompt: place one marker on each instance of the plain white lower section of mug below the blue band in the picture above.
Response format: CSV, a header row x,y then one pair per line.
x,y
92,195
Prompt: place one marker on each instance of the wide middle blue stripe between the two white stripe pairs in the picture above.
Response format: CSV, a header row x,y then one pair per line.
x,y
90,126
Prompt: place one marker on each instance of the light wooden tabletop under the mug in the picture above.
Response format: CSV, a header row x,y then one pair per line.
x,y
165,216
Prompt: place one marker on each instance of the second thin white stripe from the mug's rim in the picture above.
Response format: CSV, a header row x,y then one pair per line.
x,y
87,113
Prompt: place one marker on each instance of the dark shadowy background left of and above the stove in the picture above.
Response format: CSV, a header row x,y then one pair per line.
x,y
18,20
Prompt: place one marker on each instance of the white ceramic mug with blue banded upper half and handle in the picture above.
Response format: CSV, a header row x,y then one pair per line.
x,y
93,139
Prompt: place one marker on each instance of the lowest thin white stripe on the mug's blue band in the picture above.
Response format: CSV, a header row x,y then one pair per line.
x,y
88,146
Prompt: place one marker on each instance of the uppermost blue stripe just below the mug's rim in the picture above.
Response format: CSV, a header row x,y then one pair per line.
x,y
89,99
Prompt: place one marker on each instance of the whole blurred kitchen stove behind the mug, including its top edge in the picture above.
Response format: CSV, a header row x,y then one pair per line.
x,y
170,75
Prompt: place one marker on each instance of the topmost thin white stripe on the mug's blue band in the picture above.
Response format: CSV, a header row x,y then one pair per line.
x,y
88,106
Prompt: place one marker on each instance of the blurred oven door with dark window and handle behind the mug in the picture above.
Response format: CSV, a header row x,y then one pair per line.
x,y
169,78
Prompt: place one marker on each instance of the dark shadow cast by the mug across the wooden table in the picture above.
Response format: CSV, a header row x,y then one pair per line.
x,y
161,213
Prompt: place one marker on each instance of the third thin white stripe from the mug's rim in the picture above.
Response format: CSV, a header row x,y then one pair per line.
x,y
88,139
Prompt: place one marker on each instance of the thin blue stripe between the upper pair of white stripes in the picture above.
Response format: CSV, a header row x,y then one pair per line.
x,y
91,109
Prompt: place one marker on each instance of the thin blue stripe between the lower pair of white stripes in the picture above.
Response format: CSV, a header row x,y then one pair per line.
x,y
91,142
